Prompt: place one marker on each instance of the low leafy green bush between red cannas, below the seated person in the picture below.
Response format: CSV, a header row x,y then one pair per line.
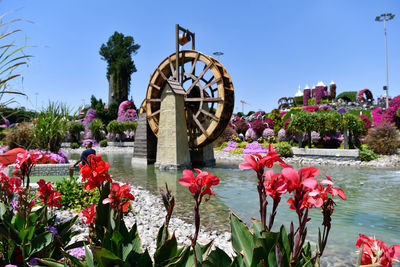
x,y
73,195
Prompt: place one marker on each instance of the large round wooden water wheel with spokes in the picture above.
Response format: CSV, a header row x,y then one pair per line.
x,y
209,97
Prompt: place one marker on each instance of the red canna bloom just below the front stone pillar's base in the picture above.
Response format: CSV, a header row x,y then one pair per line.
x,y
200,184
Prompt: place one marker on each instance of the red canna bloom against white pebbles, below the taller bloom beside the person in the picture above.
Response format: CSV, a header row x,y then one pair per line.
x,y
119,197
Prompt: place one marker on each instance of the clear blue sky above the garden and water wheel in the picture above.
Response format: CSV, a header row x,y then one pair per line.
x,y
270,47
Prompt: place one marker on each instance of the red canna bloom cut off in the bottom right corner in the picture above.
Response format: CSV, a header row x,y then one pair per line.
x,y
376,253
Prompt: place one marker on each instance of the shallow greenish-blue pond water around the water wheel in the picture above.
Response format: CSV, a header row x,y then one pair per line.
x,y
372,206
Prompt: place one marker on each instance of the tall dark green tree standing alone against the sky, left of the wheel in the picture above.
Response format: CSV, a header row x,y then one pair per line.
x,y
118,54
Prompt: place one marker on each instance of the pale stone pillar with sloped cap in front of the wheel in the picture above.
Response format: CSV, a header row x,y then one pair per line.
x,y
173,145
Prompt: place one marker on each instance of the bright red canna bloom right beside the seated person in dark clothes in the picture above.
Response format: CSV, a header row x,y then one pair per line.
x,y
95,172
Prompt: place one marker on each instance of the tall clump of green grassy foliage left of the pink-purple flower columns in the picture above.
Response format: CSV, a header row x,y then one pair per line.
x,y
51,127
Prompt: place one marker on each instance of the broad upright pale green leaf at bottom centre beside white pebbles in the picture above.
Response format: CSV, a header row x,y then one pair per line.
x,y
242,238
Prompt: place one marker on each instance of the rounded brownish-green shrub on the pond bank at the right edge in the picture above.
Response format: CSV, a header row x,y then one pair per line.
x,y
383,139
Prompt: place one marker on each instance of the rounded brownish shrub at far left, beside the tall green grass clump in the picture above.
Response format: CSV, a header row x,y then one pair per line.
x,y
21,136
